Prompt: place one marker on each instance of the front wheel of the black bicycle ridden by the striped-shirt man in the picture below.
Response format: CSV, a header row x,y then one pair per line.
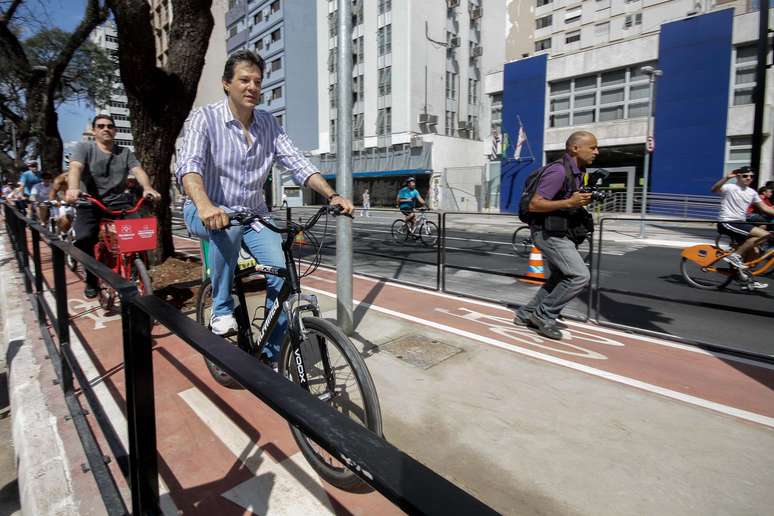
x,y
336,375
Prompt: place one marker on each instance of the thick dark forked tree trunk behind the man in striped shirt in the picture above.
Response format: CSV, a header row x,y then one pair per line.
x,y
160,98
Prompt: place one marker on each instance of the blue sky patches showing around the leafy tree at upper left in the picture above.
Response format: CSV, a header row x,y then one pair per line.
x,y
65,14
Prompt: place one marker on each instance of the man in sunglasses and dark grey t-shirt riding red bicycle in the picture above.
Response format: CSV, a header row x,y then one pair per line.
x,y
100,168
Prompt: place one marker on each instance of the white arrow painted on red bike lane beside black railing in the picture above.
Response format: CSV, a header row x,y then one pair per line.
x,y
295,485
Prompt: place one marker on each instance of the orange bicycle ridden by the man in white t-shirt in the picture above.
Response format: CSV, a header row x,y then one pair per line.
x,y
702,266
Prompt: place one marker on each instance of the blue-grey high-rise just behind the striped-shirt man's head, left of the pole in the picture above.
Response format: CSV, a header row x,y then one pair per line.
x,y
281,32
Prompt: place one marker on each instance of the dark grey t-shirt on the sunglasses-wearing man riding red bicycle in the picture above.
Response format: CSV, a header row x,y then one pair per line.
x,y
104,175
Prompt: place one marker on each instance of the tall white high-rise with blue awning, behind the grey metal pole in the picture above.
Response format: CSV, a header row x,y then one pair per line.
x,y
418,103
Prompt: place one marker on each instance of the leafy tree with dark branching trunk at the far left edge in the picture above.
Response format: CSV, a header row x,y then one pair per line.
x,y
39,73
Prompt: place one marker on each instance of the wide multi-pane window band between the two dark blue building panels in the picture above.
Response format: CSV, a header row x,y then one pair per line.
x,y
613,95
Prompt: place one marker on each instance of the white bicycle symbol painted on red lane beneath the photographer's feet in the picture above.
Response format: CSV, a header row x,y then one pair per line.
x,y
504,327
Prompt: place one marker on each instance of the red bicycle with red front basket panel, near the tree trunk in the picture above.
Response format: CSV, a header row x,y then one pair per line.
x,y
123,246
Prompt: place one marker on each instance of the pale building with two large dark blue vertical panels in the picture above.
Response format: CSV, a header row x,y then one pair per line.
x,y
580,66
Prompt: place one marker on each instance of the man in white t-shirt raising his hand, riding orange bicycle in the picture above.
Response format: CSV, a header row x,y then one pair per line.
x,y
737,197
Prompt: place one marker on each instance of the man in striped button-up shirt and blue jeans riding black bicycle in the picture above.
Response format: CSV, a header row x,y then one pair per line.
x,y
227,155
